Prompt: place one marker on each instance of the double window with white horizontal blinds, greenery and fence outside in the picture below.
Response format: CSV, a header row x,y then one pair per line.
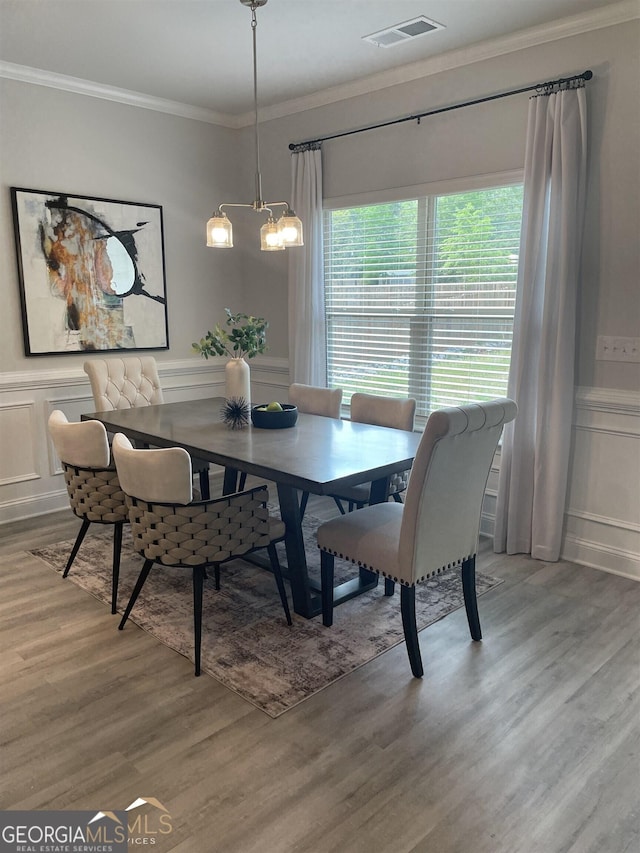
x,y
420,296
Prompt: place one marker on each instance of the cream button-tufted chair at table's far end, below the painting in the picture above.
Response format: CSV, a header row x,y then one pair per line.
x,y
128,383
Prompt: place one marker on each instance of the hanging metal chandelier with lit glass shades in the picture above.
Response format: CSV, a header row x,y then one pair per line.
x,y
275,235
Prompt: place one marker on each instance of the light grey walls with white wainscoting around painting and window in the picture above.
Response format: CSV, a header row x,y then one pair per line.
x,y
55,140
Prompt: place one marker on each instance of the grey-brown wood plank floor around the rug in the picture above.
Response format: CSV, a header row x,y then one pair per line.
x,y
528,742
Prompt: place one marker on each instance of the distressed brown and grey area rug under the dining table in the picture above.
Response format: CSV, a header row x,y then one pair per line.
x,y
246,643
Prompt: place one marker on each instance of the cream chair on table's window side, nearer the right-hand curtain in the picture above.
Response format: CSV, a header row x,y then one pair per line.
x,y
395,412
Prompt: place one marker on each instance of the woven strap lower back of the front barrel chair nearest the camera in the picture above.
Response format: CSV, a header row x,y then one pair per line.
x,y
201,533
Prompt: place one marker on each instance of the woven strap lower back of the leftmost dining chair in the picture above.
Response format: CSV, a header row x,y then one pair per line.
x,y
95,494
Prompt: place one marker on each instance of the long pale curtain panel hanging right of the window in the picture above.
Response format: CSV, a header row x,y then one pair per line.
x,y
535,453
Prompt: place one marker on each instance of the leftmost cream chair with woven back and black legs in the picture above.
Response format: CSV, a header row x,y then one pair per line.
x,y
92,483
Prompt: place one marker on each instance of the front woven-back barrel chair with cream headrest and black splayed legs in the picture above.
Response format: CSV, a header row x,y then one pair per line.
x,y
171,529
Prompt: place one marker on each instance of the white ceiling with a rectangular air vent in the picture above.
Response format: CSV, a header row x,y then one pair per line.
x,y
198,52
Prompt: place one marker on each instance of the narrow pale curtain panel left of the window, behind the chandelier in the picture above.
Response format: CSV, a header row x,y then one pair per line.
x,y
307,342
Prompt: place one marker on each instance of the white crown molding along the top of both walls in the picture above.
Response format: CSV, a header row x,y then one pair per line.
x,y
608,16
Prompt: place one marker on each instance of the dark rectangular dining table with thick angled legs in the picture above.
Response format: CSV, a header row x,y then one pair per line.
x,y
318,455
